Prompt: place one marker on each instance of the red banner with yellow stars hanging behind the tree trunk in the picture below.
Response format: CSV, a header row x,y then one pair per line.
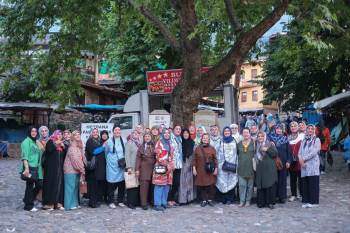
x,y
162,82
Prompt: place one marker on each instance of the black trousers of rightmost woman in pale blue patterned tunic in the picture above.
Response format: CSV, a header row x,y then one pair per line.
x,y
311,189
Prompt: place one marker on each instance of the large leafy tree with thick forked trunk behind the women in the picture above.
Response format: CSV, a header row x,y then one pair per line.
x,y
195,33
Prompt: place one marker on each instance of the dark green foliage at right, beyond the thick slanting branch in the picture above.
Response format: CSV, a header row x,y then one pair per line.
x,y
301,69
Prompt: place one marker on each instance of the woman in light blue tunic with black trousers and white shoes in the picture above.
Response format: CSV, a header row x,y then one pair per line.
x,y
115,154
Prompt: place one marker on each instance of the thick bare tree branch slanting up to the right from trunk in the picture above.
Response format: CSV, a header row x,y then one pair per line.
x,y
223,70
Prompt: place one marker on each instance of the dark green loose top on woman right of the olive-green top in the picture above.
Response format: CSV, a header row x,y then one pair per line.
x,y
266,171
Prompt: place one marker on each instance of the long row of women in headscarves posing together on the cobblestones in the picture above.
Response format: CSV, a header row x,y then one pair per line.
x,y
167,167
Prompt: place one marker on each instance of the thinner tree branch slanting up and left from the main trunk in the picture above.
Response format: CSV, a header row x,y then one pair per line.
x,y
169,37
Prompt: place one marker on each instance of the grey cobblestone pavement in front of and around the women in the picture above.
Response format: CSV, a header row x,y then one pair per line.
x,y
333,214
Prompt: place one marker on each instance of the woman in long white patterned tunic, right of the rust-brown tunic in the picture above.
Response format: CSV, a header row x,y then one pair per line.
x,y
227,180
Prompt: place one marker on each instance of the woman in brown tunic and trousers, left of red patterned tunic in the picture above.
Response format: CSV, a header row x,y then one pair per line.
x,y
144,169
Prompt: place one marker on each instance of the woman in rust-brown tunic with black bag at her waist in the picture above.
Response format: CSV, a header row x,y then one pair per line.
x,y
205,169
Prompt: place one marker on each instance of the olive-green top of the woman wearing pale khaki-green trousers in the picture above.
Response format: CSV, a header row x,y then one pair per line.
x,y
245,160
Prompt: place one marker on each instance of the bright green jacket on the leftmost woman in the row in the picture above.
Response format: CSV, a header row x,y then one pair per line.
x,y
31,152
